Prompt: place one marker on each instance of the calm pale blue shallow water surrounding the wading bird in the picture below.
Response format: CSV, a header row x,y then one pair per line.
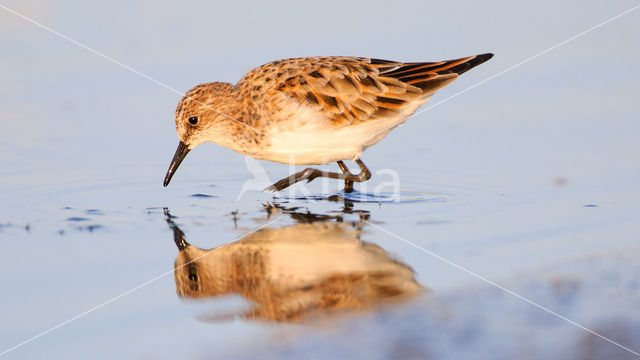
x,y
529,182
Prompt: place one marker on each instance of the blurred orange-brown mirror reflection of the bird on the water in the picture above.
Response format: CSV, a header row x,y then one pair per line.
x,y
317,266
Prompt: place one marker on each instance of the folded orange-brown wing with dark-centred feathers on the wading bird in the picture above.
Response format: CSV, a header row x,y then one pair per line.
x,y
352,90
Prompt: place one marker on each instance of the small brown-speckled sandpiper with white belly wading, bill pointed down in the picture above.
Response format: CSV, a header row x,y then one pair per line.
x,y
311,111
